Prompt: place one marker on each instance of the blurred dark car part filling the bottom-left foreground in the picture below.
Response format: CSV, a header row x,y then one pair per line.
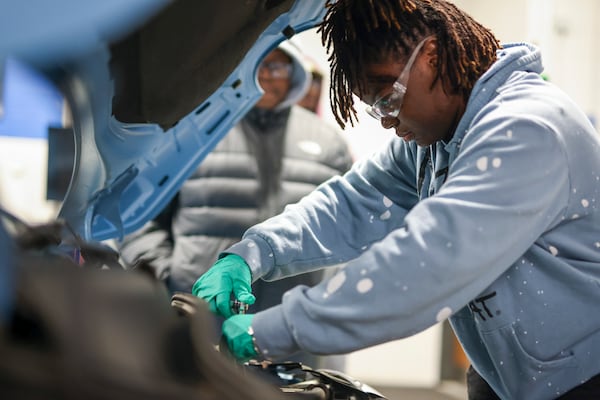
x,y
85,332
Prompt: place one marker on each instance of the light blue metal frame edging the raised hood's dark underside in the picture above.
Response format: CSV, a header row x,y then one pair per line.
x,y
126,173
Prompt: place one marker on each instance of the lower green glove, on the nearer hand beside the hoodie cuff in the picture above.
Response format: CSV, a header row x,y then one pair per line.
x,y
238,337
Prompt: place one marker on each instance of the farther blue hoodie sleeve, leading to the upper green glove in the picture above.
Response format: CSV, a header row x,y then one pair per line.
x,y
336,222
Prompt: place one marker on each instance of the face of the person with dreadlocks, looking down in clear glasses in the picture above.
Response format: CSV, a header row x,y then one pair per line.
x,y
425,113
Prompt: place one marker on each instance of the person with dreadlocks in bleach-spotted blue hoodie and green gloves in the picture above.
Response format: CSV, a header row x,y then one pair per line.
x,y
483,210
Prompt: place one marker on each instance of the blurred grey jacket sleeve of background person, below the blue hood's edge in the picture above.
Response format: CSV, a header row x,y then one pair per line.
x,y
152,245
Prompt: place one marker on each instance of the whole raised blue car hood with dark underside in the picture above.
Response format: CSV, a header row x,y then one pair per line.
x,y
152,85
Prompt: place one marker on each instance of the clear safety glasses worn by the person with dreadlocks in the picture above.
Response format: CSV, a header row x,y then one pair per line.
x,y
389,104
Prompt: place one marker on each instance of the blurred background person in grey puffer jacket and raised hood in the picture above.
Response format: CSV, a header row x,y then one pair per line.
x,y
275,155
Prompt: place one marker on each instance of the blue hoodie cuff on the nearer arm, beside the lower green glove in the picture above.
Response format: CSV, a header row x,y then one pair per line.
x,y
272,334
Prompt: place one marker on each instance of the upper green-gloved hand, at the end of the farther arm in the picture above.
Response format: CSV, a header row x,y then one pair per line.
x,y
229,274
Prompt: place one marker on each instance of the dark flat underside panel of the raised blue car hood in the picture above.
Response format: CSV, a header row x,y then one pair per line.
x,y
181,56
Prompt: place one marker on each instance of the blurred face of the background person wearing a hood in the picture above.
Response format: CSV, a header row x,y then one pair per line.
x,y
274,76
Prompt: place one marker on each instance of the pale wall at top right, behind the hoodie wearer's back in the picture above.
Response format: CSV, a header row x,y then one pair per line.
x,y
566,32
